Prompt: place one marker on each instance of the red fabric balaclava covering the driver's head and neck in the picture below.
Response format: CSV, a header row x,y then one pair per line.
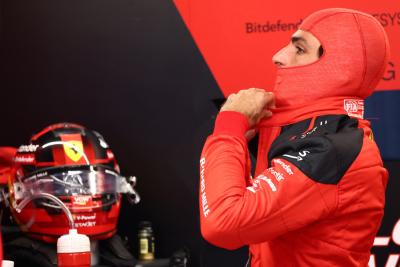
x,y
356,51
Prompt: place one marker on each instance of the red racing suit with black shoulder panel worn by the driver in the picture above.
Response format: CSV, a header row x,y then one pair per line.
x,y
318,195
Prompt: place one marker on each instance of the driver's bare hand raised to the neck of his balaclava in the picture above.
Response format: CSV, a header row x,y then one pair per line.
x,y
253,103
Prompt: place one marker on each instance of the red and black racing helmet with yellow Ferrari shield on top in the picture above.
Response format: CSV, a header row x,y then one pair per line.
x,y
77,166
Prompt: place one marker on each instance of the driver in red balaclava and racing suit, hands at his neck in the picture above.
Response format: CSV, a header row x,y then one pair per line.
x,y
318,195
